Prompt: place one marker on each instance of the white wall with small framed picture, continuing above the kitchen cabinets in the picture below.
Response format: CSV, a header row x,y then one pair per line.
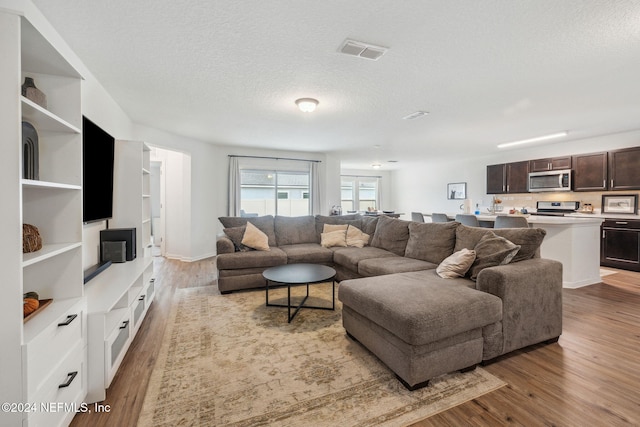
x,y
421,186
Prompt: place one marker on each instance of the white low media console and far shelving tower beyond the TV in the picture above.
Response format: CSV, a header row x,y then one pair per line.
x,y
119,297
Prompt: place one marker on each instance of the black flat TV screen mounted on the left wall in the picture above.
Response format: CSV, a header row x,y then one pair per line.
x,y
97,172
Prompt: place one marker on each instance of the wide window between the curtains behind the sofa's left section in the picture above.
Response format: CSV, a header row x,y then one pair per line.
x,y
272,192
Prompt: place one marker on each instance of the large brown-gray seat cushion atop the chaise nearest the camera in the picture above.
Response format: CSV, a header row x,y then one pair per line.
x,y
415,306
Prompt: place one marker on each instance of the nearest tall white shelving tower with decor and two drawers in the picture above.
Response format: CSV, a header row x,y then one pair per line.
x,y
45,358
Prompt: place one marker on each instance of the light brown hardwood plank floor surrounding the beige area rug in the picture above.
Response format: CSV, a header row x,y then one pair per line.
x,y
590,377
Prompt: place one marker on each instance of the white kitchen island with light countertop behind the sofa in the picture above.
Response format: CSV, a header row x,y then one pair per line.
x,y
574,240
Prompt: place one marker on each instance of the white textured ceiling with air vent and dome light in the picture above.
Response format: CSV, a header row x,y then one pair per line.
x,y
487,71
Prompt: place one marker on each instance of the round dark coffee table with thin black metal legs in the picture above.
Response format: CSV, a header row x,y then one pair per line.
x,y
296,275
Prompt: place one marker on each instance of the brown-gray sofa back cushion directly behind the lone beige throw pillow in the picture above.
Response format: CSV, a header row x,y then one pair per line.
x,y
431,241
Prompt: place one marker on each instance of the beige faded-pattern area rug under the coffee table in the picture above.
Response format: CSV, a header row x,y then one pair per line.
x,y
229,360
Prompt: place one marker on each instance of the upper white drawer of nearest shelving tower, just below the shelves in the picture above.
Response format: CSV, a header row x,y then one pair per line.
x,y
50,346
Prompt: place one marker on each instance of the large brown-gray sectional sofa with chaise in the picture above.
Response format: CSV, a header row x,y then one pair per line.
x,y
419,324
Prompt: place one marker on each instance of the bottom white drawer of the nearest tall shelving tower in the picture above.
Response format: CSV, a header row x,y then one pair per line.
x,y
62,393
